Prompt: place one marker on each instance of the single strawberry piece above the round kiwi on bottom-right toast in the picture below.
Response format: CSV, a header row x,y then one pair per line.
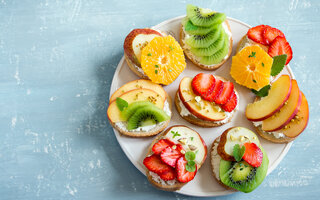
x,y
253,154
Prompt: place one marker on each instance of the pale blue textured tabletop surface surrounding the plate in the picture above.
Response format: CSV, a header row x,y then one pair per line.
x,y
57,60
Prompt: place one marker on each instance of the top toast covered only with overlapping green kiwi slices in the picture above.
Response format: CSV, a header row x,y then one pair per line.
x,y
206,37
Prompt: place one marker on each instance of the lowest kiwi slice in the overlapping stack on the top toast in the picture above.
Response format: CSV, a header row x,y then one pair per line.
x,y
218,56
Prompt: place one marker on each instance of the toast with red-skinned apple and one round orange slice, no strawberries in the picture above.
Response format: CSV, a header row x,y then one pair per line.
x,y
152,55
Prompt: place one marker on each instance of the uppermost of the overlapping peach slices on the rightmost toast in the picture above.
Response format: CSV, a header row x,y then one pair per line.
x,y
267,106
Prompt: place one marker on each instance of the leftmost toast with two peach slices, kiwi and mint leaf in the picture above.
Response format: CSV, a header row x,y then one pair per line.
x,y
139,108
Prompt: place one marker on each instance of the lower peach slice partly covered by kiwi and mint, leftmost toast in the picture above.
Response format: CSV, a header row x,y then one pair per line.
x,y
114,114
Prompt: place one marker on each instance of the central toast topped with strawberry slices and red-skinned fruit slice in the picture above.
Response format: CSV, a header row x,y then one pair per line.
x,y
206,100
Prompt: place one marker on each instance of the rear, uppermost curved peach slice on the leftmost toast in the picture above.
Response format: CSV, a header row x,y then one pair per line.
x,y
137,84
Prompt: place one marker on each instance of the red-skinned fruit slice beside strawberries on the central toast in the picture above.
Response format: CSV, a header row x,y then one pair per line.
x,y
201,108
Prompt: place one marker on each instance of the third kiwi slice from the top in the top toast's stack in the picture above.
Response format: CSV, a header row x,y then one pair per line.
x,y
204,41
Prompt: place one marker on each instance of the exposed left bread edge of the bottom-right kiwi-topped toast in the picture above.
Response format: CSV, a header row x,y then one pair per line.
x,y
215,162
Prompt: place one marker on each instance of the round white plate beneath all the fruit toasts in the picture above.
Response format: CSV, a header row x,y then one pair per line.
x,y
204,183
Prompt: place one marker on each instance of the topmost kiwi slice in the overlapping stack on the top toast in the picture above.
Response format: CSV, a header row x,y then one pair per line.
x,y
204,17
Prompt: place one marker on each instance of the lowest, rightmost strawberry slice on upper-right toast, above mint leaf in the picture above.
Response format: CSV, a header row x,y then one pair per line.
x,y
280,46
